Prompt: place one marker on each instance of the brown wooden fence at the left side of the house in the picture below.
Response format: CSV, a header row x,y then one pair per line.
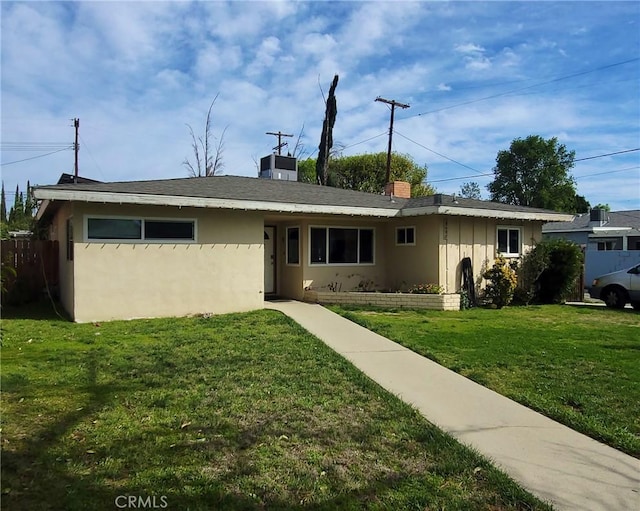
x,y
35,266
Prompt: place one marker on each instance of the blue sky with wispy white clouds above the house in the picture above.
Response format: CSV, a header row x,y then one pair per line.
x,y
476,75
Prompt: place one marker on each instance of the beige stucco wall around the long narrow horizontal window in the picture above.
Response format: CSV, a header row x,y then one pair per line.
x,y
221,272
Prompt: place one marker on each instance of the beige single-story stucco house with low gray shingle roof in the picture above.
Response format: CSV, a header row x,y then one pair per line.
x,y
220,244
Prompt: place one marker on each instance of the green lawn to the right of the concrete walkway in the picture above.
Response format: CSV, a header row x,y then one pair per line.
x,y
579,366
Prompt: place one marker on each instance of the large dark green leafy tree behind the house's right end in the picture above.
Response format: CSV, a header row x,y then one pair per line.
x,y
535,172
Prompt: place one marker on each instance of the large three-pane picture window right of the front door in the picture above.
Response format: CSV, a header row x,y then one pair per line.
x,y
341,245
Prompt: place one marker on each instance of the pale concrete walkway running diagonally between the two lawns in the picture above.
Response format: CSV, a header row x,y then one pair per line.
x,y
565,468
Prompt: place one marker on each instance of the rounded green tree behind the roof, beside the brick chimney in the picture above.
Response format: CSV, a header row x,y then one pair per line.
x,y
367,173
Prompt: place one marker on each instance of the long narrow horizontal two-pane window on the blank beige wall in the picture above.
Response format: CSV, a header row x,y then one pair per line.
x,y
138,229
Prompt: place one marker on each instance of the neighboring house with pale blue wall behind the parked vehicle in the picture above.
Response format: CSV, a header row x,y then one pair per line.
x,y
610,240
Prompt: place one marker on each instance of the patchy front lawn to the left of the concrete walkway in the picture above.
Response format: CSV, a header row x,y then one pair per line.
x,y
241,411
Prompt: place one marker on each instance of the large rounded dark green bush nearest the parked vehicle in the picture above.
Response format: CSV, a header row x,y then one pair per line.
x,y
547,274
